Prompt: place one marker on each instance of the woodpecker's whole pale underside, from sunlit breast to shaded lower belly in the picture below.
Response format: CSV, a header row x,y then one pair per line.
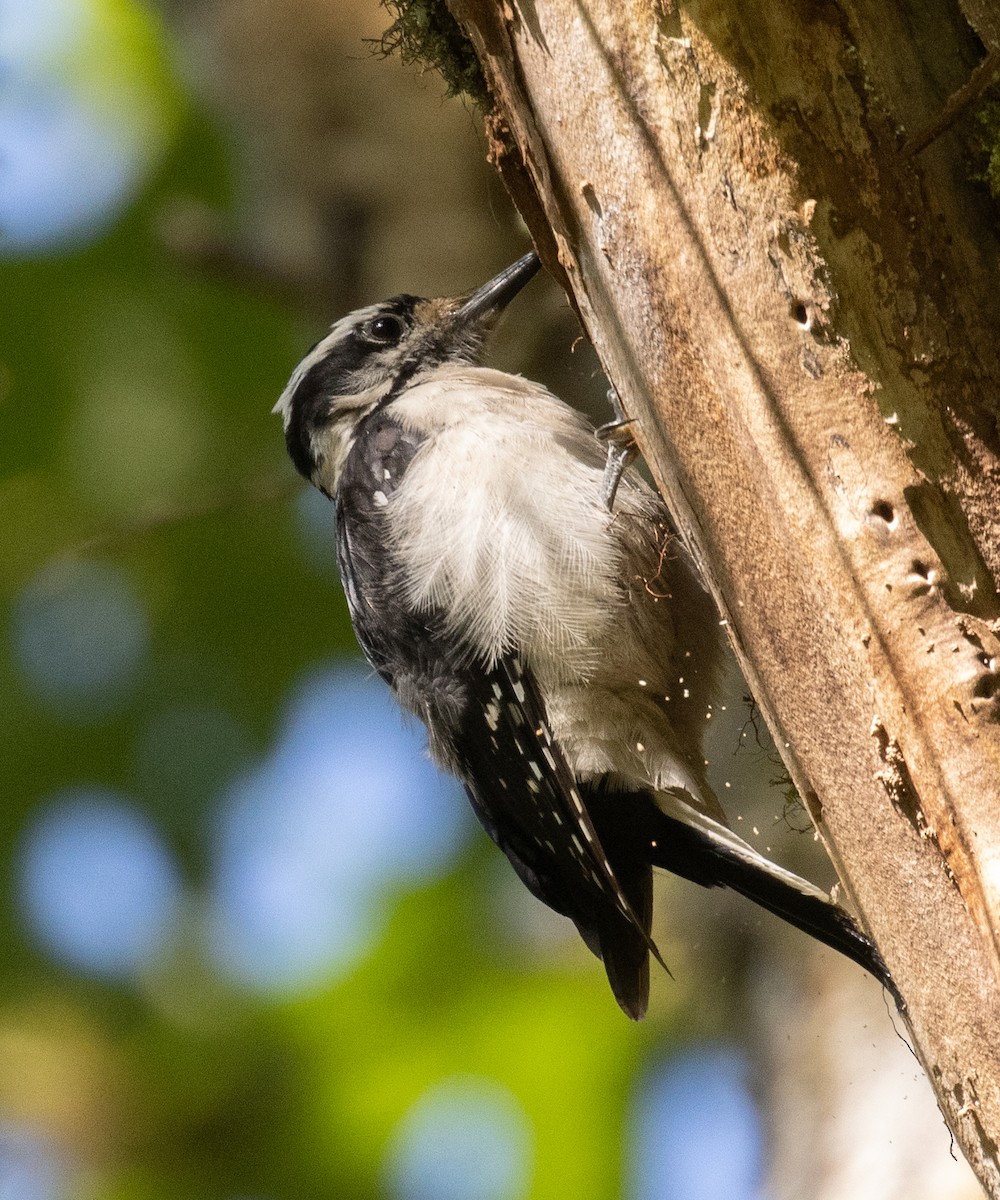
x,y
531,561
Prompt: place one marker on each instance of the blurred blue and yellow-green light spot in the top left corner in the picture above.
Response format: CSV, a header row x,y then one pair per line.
x,y
86,118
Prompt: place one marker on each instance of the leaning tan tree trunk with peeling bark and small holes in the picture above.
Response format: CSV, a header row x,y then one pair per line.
x,y
803,316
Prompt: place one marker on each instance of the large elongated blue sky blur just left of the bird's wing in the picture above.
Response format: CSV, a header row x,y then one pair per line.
x,y
310,847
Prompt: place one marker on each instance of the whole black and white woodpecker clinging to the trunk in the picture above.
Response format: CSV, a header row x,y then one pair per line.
x,y
552,635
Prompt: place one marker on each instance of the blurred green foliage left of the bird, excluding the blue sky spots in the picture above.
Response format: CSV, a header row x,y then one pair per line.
x,y
135,418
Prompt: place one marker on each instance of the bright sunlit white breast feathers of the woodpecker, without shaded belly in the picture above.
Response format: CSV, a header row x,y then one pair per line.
x,y
476,539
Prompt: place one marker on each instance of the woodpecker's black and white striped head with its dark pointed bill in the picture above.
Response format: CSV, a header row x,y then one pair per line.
x,y
370,356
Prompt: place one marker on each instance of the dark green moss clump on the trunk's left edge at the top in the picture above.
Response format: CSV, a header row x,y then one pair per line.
x,y
424,32
